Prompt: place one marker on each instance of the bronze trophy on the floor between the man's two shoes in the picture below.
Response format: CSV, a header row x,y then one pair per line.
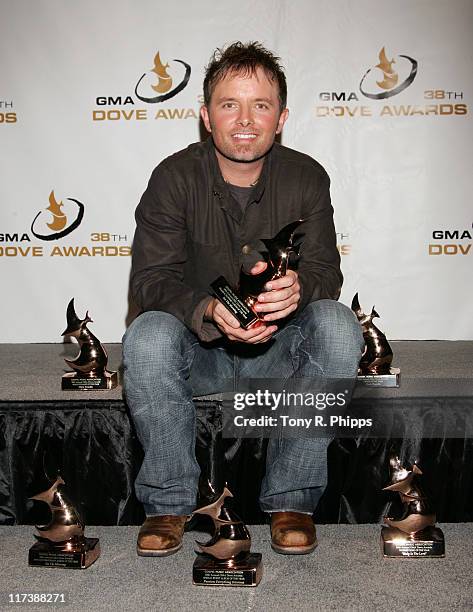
x,y
226,560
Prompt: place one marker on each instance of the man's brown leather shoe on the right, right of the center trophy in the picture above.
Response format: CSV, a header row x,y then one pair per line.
x,y
292,533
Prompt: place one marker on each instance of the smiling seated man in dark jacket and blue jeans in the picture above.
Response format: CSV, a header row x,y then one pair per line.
x,y
202,209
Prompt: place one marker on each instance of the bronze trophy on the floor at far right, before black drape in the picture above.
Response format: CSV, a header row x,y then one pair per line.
x,y
414,533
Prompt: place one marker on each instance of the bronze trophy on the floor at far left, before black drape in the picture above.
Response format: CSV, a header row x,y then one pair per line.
x,y
61,543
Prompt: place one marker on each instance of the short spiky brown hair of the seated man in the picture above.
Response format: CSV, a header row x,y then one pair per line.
x,y
244,59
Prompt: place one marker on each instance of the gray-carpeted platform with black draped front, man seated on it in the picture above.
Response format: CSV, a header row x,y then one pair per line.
x,y
88,436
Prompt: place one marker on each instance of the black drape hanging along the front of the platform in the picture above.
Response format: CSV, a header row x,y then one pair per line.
x,y
94,447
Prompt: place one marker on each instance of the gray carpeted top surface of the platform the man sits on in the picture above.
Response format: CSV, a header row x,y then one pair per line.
x,y
33,371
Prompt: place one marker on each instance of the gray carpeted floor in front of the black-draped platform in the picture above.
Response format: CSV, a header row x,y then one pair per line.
x,y
346,572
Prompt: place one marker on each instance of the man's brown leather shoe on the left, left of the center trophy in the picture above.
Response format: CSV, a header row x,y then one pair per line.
x,y
160,536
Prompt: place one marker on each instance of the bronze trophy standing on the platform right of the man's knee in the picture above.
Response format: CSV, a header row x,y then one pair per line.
x,y
375,366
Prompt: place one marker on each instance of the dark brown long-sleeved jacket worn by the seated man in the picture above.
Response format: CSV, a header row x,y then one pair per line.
x,y
190,230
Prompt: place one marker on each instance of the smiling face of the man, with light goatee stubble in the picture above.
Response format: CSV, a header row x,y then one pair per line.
x,y
244,116
